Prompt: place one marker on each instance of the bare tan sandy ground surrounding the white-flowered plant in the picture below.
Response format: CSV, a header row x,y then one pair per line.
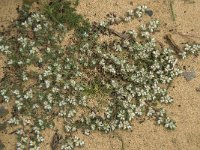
x,y
186,107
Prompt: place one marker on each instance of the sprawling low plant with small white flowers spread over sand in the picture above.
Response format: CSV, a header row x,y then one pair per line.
x,y
89,85
